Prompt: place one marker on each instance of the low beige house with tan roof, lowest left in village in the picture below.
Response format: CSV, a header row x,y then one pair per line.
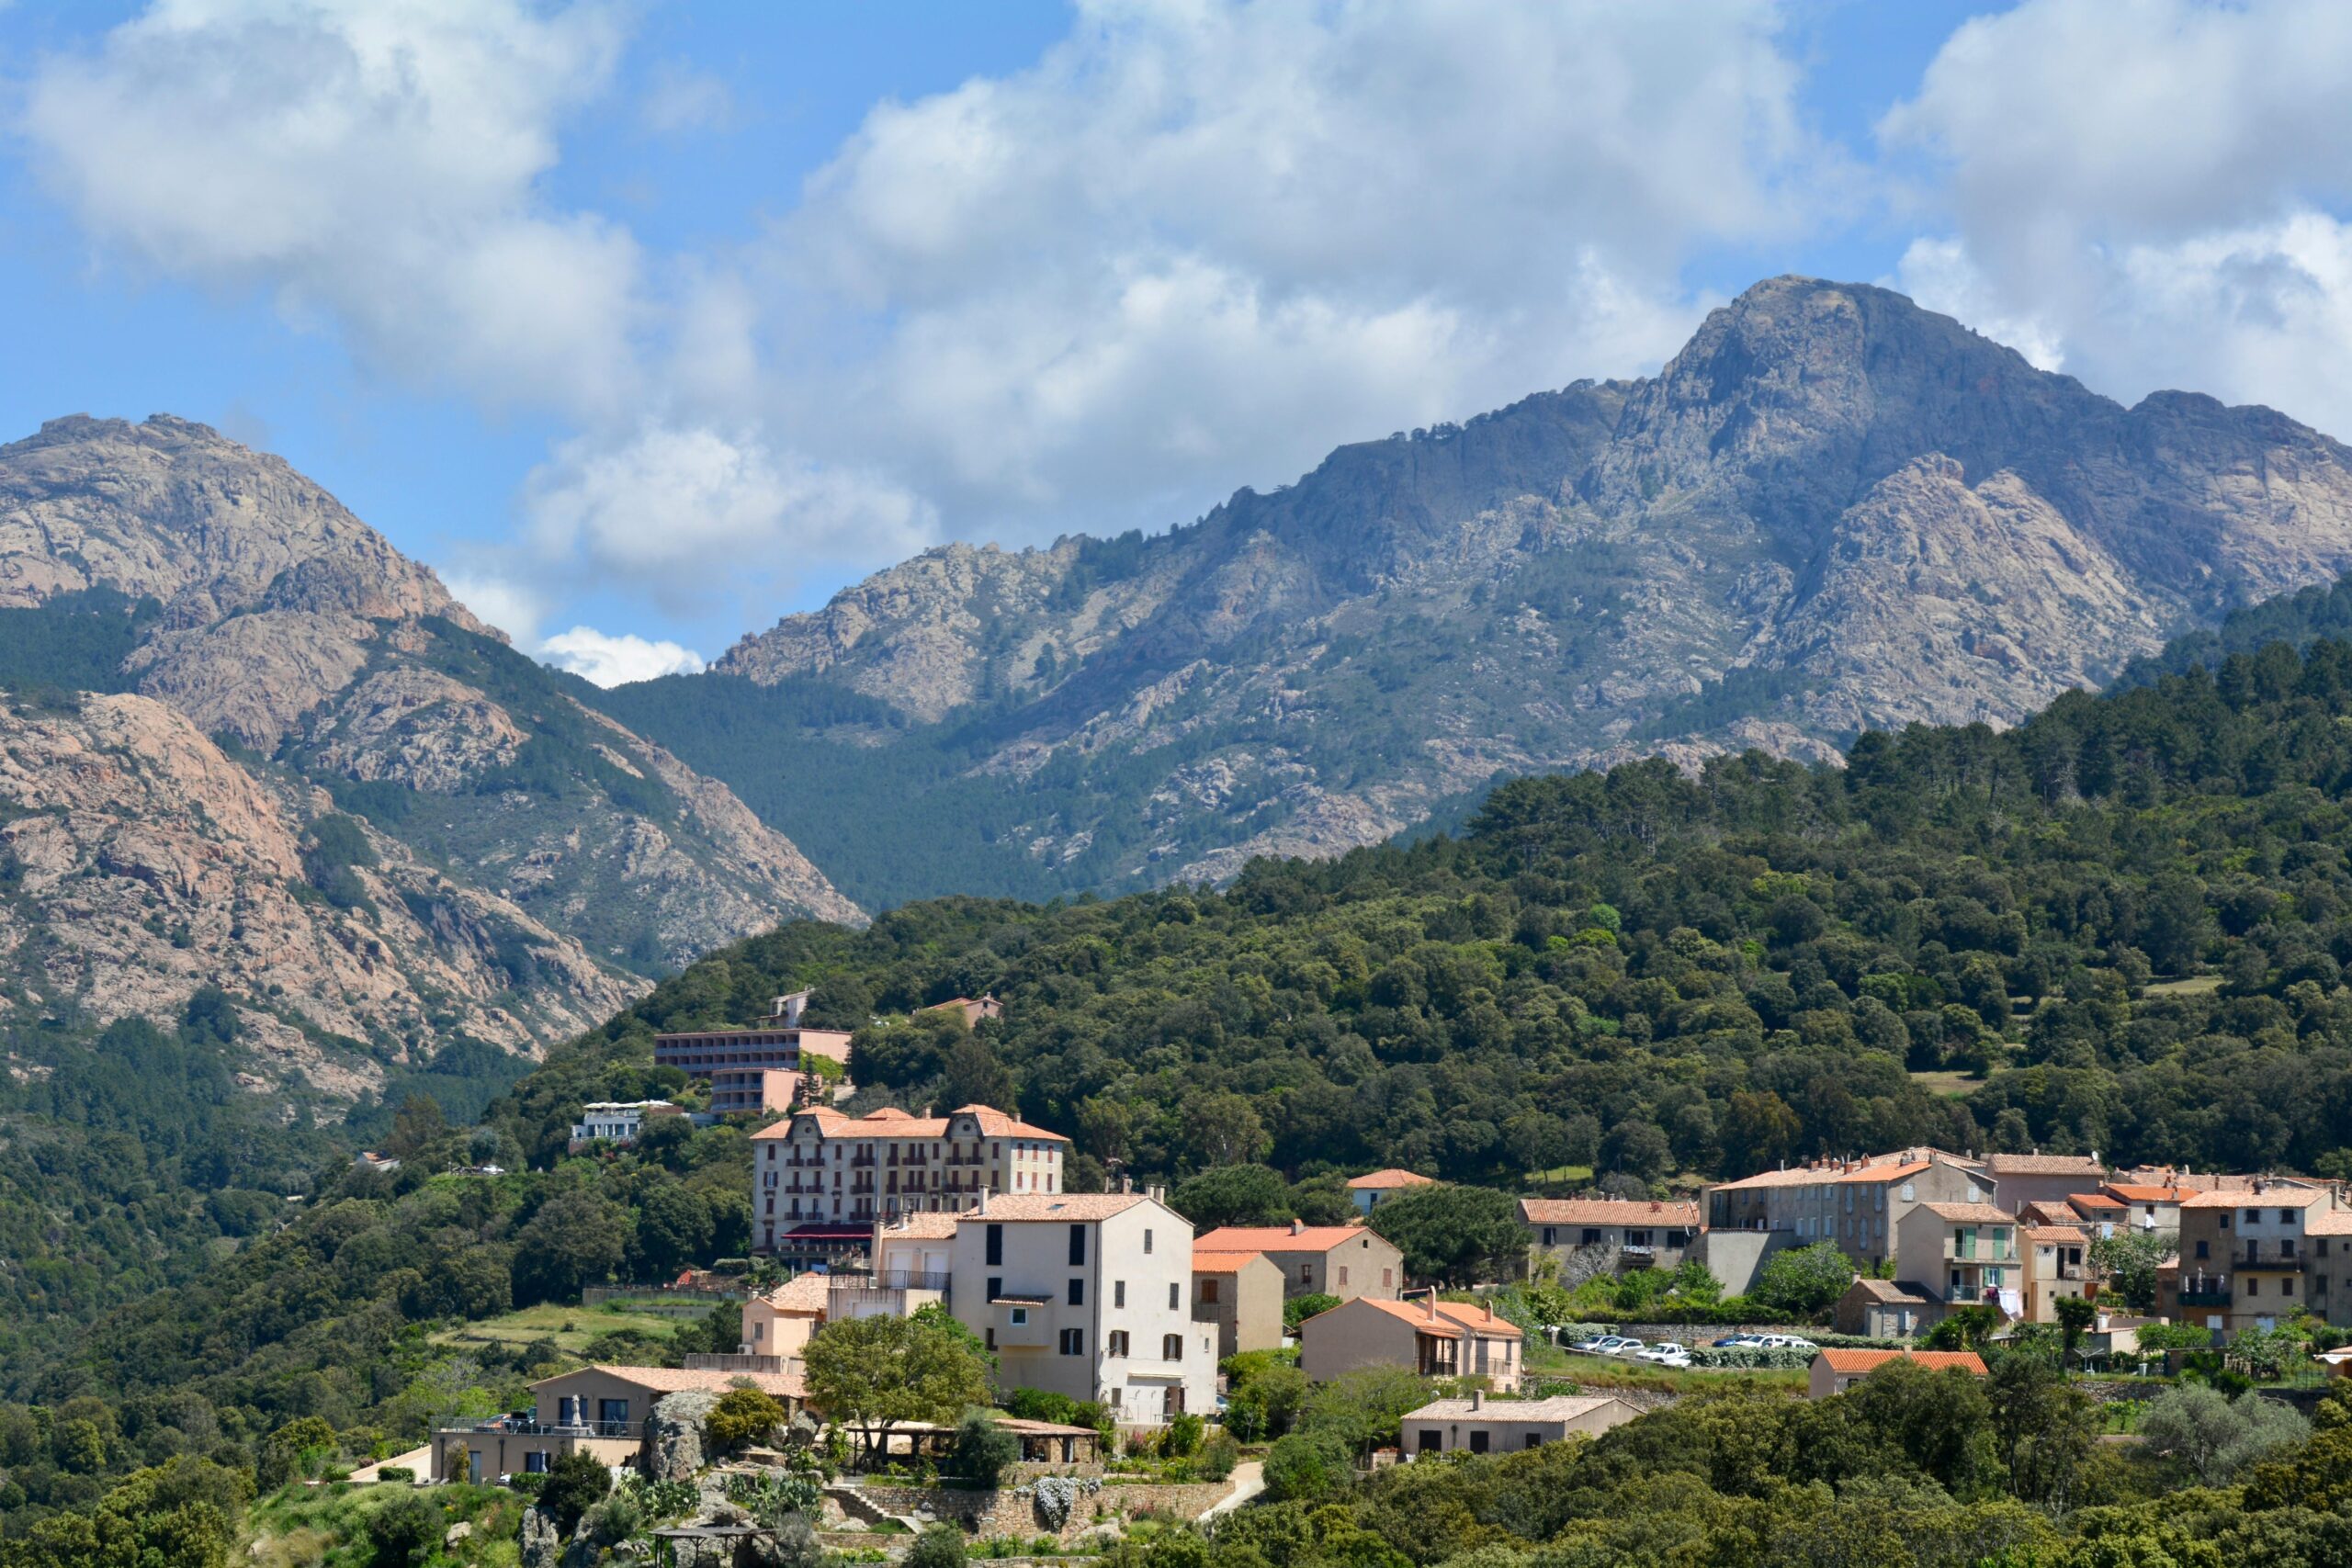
x,y
599,1409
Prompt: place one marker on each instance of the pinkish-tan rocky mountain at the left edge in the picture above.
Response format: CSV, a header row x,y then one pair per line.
x,y
298,770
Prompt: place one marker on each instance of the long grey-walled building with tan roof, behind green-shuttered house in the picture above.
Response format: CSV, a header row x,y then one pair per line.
x,y
1857,1205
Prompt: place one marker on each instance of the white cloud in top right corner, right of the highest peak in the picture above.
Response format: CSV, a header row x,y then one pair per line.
x,y
2144,192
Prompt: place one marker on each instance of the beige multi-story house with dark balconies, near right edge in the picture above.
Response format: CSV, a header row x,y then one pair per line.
x,y
2257,1257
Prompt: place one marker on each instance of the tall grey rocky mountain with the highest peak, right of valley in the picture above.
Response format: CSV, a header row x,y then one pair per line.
x,y
1829,511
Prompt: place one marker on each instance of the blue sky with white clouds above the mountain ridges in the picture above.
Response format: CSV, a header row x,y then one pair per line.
x,y
653,323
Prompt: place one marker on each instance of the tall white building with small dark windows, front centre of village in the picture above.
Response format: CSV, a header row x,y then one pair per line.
x,y
1088,1296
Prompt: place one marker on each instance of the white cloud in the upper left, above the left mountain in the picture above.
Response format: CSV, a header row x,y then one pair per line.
x,y
373,163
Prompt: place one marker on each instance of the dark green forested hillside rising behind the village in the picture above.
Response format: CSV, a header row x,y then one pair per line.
x,y
2116,927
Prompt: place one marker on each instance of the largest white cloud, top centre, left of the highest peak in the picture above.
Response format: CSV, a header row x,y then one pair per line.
x,y
1198,246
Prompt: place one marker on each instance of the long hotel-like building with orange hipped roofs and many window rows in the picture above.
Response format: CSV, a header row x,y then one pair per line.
x,y
827,1170
